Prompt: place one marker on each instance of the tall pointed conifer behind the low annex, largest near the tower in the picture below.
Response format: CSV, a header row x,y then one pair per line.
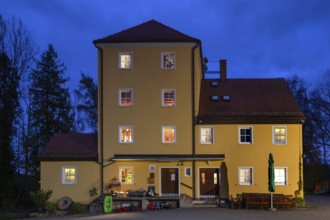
x,y
51,110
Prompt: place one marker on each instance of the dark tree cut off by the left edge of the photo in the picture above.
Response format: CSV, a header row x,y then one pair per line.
x,y
9,106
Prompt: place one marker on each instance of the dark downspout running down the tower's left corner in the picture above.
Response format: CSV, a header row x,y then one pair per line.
x,y
101,120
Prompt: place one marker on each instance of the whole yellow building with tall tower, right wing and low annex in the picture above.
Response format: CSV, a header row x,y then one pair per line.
x,y
164,127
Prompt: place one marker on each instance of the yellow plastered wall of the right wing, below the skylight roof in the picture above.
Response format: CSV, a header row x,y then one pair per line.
x,y
255,155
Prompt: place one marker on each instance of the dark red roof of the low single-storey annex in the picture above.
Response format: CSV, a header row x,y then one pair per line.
x,y
74,147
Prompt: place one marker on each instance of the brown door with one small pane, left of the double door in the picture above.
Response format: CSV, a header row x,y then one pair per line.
x,y
169,181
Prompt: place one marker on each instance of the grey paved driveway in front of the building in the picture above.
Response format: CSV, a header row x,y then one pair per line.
x,y
318,208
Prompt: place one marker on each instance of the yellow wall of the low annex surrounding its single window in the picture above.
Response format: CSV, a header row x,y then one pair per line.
x,y
88,177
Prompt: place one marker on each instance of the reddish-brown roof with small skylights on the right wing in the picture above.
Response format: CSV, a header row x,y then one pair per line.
x,y
248,101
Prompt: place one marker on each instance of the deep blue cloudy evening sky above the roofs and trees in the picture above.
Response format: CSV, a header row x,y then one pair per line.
x,y
259,38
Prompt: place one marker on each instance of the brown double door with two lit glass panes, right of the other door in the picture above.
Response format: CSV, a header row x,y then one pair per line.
x,y
209,182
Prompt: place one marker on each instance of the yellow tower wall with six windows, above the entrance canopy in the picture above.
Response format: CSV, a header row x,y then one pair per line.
x,y
147,116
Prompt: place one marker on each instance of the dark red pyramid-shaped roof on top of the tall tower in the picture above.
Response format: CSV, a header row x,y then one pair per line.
x,y
150,31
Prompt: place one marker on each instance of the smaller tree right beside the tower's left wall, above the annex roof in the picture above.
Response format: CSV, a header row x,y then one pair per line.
x,y
86,104
